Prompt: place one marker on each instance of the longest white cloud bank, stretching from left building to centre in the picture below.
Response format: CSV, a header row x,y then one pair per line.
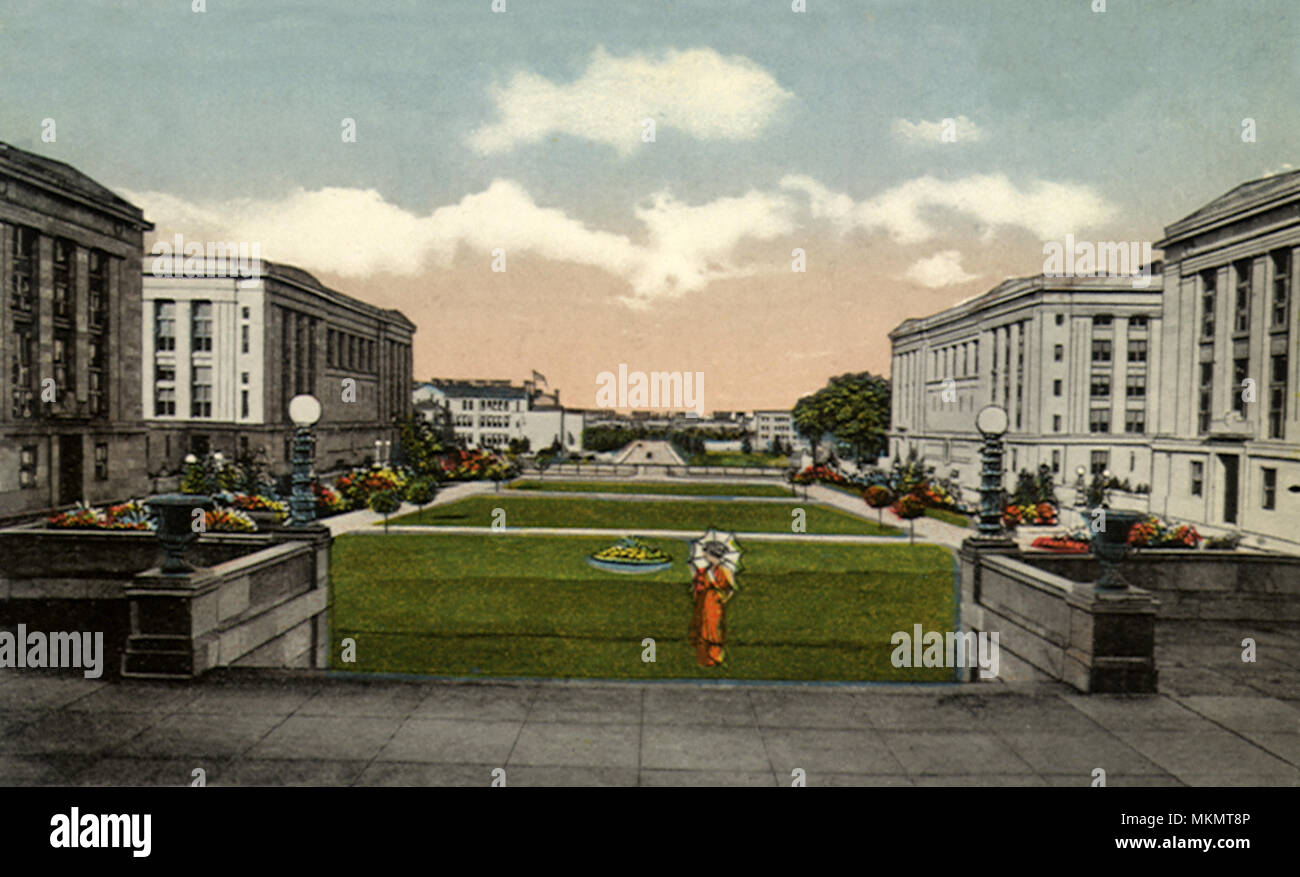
x,y
356,233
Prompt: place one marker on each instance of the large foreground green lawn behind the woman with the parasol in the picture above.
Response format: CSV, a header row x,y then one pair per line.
x,y
528,606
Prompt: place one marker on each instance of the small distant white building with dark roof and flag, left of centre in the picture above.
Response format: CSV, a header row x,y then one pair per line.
x,y
491,414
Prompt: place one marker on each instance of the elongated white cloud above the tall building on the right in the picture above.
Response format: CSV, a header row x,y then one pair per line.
x,y
908,212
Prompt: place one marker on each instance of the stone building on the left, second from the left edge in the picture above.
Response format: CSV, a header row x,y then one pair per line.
x,y
224,355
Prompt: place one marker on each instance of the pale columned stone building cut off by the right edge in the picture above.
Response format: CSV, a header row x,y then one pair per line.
x,y
1228,436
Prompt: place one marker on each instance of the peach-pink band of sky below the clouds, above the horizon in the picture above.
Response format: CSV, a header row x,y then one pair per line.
x,y
762,341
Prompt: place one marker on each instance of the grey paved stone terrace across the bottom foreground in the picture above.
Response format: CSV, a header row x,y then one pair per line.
x,y
301,728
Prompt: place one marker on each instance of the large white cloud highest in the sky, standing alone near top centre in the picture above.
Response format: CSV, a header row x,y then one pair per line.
x,y
697,92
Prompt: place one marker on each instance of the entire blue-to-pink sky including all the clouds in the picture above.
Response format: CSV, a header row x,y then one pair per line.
x,y
917,153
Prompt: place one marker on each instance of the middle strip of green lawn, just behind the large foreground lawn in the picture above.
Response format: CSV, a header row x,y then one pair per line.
x,y
743,516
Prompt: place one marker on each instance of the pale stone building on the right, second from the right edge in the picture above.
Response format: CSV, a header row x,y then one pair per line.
x,y
1072,359
